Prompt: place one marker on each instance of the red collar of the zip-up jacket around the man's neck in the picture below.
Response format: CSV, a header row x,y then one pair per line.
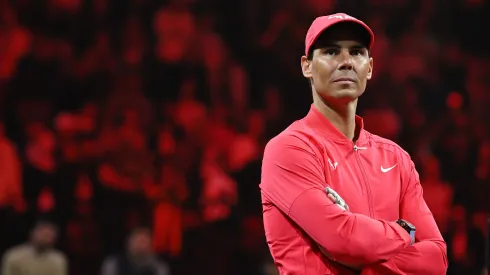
x,y
317,121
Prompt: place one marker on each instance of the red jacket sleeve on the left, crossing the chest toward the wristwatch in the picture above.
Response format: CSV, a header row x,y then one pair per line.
x,y
293,180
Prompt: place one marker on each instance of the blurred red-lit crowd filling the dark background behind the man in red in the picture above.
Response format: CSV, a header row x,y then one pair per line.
x,y
138,125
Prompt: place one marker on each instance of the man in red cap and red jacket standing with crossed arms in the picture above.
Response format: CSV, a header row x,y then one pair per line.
x,y
308,228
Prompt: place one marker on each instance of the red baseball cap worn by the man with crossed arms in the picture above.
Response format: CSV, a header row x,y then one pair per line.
x,y
320,24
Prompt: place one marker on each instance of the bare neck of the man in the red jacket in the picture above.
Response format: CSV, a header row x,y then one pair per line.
x,y
343,117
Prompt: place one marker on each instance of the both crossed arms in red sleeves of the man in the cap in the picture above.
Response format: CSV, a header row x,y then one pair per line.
x,y
293,179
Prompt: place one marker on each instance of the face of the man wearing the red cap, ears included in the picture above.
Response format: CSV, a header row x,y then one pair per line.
x,y
340,66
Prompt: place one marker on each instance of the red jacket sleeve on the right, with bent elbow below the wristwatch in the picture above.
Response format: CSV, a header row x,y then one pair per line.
x,y
428,254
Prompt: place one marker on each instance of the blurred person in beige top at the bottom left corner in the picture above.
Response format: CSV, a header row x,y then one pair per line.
x,y
38,256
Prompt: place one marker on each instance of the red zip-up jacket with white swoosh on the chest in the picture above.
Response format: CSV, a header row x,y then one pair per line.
x,y
378,181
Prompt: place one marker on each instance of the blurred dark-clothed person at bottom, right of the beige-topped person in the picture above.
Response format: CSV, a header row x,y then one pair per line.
x,y
139,259
